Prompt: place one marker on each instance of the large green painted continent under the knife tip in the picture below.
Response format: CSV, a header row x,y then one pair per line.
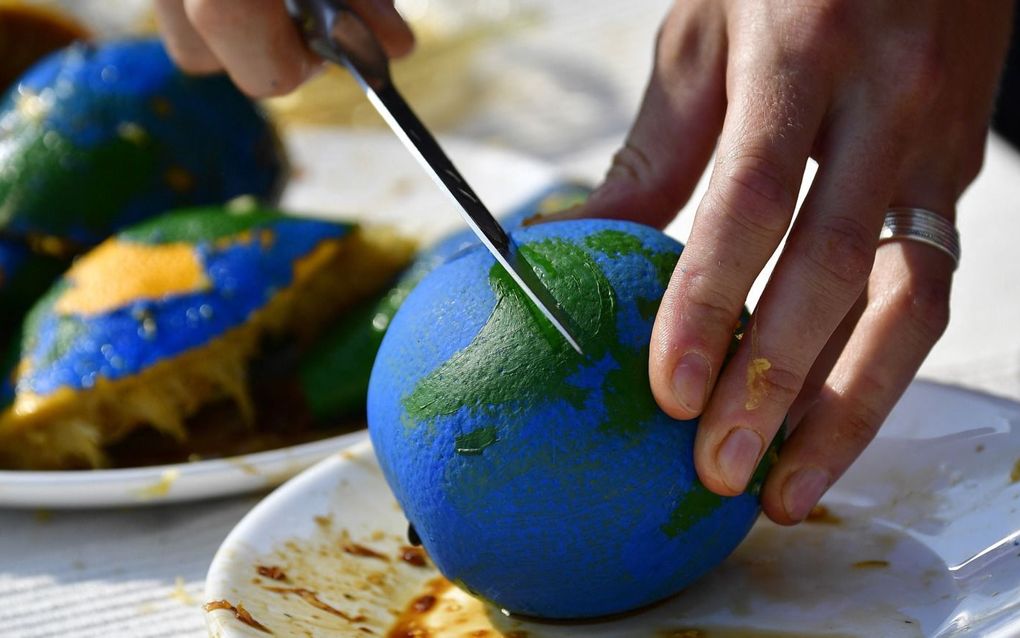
x,y
543,361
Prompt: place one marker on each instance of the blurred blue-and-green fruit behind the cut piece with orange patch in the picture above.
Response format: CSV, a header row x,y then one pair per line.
x,y
98,137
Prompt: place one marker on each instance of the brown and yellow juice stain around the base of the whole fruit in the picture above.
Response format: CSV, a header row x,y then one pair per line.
x,y
813,580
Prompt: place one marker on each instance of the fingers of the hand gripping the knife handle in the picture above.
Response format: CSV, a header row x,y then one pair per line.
x,y
257,42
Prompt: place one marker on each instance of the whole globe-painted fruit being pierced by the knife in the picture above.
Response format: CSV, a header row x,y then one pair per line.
x,y
547,482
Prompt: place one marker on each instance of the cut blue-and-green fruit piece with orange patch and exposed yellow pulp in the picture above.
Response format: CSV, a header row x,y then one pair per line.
x,y
166,318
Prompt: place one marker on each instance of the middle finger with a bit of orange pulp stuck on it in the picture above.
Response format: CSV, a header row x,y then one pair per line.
x,y
820,278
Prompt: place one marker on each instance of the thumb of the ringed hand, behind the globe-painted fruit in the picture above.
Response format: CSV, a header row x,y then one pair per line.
x,y
677,128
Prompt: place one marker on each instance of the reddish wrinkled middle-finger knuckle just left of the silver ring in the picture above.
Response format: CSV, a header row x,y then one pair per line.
x,y
843,251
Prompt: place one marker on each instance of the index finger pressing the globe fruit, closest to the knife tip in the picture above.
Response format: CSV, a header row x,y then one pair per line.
x,y
768,136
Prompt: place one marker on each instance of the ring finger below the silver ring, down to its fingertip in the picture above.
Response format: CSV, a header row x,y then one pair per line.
x,y
907,313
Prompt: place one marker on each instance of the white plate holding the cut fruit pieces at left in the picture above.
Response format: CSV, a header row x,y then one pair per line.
x,y
337,174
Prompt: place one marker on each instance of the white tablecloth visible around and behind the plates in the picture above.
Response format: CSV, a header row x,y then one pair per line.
x,y
576,82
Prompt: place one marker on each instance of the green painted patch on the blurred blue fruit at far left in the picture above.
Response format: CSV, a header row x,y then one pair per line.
x,y
58,186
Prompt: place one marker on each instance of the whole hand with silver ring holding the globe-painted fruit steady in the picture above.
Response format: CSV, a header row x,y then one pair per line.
x,y
893,100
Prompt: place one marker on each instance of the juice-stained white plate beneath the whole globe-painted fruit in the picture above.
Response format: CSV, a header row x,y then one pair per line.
x,y
927,545
